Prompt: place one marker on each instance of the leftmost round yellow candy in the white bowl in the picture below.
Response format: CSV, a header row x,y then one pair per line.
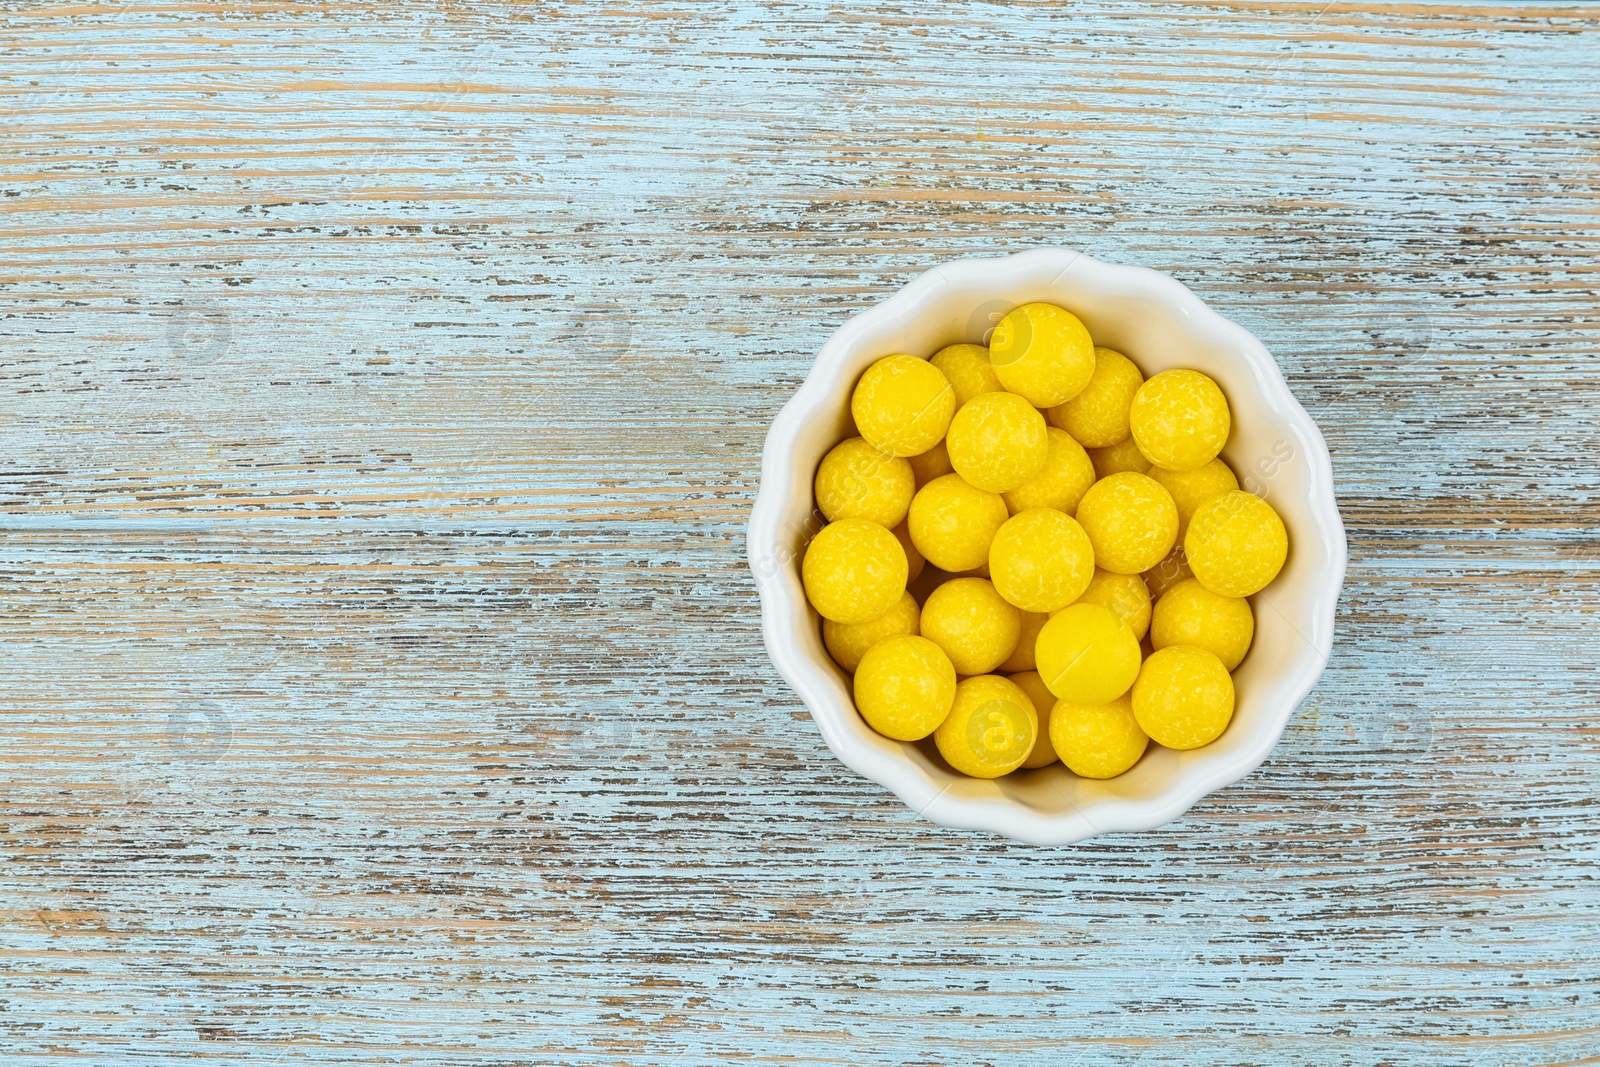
x,y
854,572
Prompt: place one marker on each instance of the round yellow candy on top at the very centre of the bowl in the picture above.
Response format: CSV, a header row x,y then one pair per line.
x,y
1041,561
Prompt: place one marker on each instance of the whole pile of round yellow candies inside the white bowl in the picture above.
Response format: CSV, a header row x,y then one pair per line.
x,y
1038,495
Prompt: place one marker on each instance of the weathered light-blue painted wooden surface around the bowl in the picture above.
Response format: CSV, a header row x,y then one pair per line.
x,y
385,396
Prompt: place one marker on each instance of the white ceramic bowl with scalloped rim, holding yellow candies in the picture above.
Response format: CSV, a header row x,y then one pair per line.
x,y
1276,450
